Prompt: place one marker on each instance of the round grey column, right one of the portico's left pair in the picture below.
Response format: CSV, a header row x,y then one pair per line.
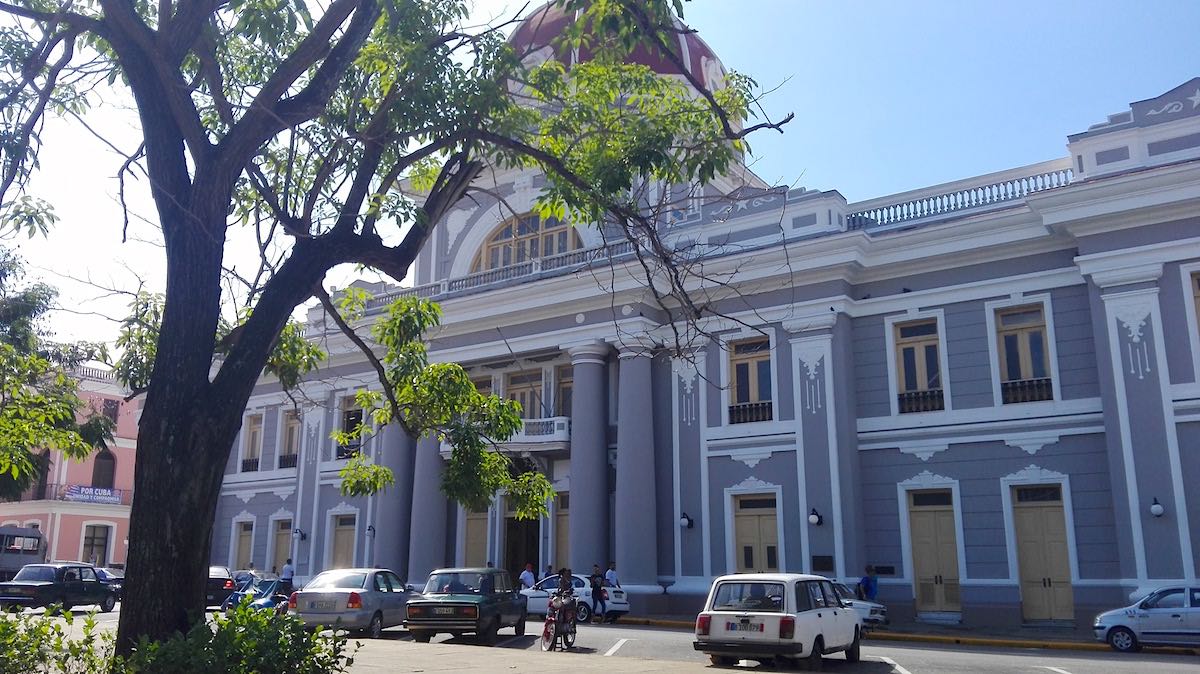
x,y
428,535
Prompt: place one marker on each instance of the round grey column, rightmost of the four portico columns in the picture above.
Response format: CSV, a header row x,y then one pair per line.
x,y
638,541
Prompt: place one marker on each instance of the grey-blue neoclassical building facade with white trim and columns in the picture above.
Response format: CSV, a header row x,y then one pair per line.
x,y
989,390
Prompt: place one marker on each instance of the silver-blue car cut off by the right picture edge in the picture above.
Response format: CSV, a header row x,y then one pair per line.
x,y
1167,617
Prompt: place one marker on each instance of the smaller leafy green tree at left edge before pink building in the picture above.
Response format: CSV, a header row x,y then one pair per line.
x,y
40,408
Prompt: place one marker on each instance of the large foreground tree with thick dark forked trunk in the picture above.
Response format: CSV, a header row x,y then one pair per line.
x,y
302,122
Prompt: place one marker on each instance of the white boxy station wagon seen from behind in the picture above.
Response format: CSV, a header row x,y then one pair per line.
x,y
776,617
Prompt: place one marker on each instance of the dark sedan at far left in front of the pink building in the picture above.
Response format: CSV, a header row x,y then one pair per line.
x,y
68,583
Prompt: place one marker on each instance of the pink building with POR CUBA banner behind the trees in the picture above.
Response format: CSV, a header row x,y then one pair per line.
x,y
83,508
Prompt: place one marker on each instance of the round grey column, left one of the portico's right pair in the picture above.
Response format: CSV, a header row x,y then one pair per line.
x,y
589,516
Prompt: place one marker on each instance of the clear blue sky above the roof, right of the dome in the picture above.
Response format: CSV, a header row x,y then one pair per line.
x,y
893,97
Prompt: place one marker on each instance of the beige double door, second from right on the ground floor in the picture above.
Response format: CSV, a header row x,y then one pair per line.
x,y
935,552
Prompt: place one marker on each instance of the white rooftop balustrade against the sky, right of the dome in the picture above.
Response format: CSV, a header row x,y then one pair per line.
x,y
962,196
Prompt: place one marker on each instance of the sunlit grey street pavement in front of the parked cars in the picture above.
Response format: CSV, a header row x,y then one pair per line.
x,y
619,648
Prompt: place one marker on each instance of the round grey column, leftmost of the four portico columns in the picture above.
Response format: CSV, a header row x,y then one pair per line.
x,y
394,507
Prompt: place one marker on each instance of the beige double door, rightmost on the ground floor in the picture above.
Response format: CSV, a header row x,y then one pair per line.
x,y
1042,553
